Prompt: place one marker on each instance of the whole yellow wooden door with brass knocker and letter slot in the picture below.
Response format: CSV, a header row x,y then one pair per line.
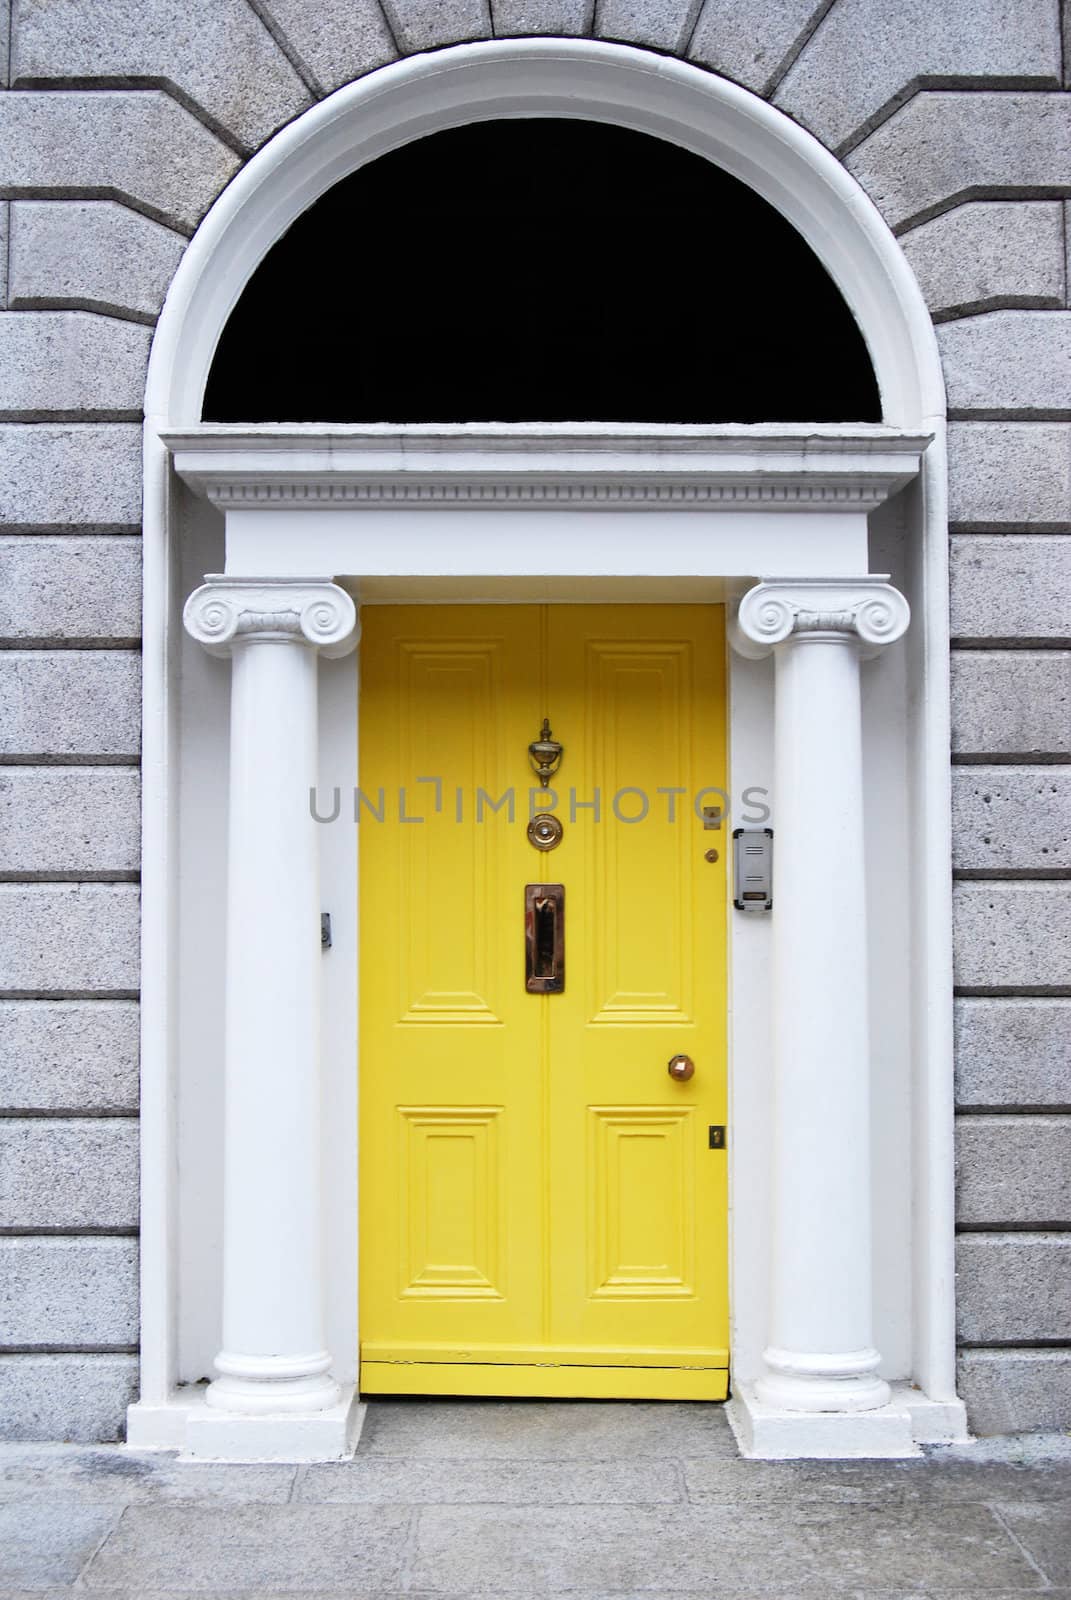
x,y
542,1207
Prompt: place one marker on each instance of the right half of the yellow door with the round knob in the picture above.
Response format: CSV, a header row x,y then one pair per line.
x,y
641,692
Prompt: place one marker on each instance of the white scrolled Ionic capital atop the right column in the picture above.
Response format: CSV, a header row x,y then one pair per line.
x,y
867,610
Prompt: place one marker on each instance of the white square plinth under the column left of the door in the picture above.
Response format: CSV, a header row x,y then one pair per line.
x,y
199,1433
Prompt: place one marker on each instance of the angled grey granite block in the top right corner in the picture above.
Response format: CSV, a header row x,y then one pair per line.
x,y
868,57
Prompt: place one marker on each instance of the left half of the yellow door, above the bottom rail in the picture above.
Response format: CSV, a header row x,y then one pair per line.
x,y
451,1105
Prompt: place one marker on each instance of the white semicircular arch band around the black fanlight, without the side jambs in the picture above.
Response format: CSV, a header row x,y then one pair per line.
x,y
548,78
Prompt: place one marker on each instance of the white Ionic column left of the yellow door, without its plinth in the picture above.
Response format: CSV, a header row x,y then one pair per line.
x,y
275,1358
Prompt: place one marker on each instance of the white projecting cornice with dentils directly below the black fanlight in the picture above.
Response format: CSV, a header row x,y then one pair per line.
x,y
483,466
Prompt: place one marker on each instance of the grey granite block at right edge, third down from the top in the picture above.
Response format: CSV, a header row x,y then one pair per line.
x,y
990,254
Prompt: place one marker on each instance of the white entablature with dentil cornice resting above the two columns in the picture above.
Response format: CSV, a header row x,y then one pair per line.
x,y
616,502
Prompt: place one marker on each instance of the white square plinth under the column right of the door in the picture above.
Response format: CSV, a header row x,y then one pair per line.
x,y
892,1431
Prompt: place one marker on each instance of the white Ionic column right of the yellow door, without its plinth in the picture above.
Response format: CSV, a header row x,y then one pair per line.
x,y
820,1353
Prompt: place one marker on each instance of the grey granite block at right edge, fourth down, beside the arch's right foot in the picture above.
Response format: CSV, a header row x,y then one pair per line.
x,y
1008,362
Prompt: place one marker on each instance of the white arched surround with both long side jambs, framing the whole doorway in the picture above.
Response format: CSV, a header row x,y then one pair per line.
x,y
790,169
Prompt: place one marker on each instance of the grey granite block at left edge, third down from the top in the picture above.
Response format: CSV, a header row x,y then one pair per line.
x,y
92,255
